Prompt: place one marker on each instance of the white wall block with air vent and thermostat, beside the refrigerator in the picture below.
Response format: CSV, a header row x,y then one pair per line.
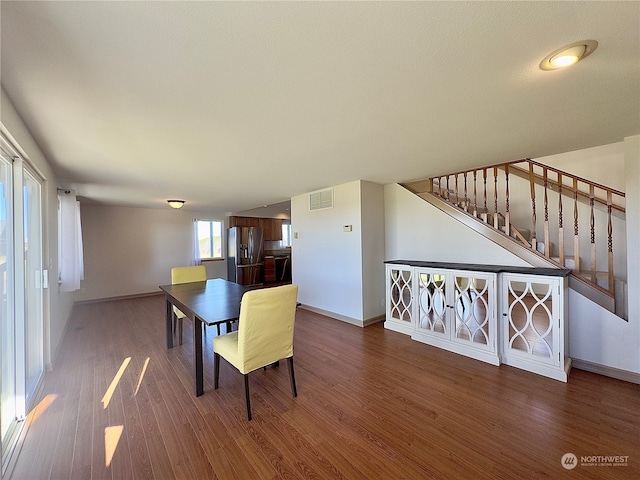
x,y
328,263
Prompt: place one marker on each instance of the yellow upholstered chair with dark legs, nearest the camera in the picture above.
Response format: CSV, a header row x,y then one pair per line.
x,y
264,335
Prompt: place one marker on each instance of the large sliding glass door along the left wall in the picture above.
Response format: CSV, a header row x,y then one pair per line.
x,y
21,292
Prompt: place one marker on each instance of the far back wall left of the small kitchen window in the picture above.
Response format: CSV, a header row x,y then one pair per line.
x,y
130,251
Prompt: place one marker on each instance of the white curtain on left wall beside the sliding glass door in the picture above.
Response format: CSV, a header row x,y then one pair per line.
x,y
71,252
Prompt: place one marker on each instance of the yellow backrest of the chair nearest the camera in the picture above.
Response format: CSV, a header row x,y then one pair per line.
x,y
265,327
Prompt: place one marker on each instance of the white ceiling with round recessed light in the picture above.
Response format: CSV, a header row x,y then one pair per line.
x,y
232,105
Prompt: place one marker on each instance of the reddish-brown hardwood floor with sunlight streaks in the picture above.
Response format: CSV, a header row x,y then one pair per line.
x,y
372,404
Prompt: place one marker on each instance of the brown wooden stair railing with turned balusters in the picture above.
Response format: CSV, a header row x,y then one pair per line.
x,y
491,202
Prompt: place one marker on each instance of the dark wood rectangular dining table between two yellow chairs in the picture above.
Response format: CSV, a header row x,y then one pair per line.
x,y
207,303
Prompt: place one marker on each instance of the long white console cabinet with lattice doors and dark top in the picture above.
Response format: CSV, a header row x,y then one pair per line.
x,y
511,315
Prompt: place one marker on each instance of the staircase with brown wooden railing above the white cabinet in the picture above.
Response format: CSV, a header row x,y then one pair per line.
x,y
524,205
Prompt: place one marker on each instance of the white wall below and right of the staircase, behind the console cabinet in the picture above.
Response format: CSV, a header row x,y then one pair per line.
x,y
415,230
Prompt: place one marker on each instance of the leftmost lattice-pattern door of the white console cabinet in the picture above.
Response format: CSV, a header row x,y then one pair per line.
x,y
399,304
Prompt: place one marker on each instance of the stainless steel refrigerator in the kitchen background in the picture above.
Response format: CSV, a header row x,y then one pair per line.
x,y
245,255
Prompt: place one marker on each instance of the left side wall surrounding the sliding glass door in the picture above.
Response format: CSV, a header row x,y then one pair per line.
x,y
57,305
